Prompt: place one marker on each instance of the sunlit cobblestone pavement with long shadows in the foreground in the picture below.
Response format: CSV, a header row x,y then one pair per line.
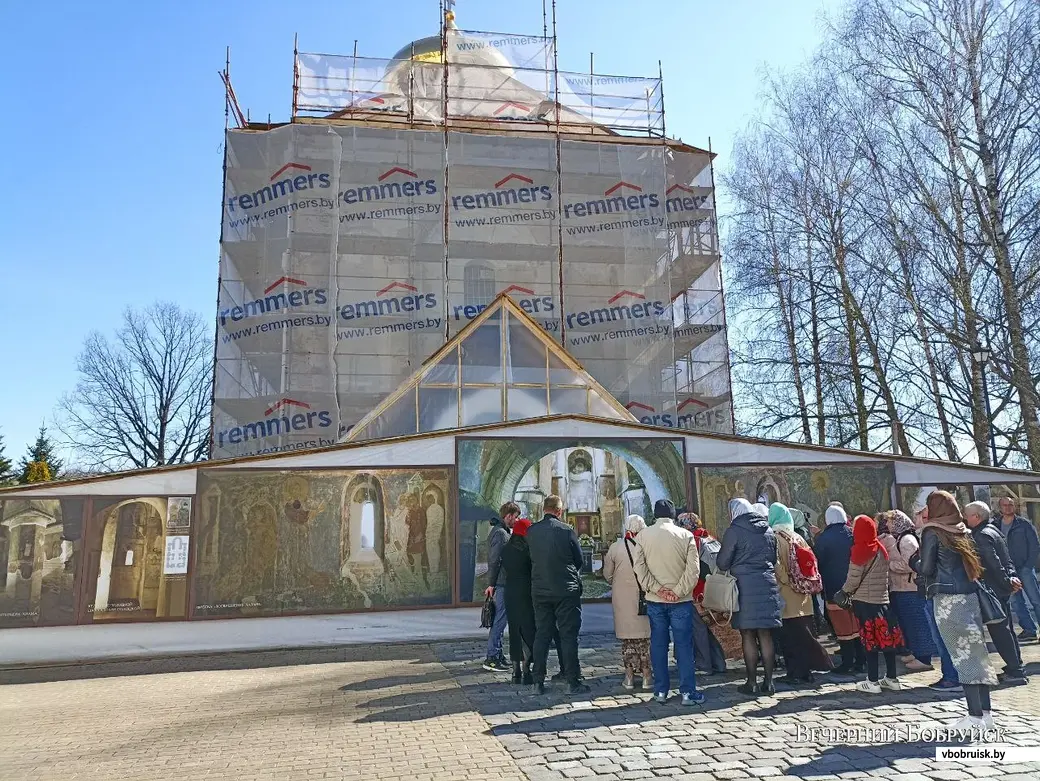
x,y
426,713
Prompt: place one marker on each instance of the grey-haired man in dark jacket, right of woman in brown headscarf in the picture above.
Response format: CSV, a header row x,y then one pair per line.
x,y
999,575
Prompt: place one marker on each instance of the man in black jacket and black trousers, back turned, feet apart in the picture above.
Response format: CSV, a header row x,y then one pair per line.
x,y
556,589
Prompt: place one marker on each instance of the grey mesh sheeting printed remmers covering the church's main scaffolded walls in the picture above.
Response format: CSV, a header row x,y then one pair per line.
x,y
348,261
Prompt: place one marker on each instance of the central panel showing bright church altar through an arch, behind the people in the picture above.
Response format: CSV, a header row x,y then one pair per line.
x,y
600,481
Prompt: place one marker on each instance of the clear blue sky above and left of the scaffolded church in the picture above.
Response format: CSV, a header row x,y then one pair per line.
x,y
114,118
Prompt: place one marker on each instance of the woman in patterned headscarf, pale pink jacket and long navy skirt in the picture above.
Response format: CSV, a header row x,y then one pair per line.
x,y
897,534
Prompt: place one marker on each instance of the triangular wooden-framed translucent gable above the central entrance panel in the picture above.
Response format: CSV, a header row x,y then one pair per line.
x,y
501,368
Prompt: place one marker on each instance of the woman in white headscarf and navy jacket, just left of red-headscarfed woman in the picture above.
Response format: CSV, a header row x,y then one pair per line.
x,y
834,548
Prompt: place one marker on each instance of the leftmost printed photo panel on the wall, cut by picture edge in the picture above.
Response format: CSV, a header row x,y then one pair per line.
x,y
41,550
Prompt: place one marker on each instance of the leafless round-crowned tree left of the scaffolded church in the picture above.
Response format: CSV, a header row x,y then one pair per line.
x,y
143,400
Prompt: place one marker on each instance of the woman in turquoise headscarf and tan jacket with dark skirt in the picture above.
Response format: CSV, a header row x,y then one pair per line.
x,y
802,652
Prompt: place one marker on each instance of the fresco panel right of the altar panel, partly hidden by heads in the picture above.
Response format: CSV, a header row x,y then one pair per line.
x,y
808,490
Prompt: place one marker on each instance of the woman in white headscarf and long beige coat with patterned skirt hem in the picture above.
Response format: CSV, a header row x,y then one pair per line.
x,y
630,628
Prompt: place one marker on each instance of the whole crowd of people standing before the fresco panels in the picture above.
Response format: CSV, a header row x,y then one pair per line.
x,y
890,588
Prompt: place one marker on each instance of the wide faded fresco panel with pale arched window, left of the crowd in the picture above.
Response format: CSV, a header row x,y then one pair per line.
x,y
285,542
